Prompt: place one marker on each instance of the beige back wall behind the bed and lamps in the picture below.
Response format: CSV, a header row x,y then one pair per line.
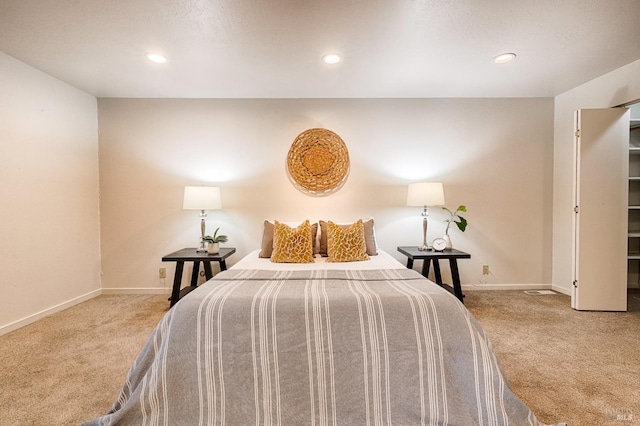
x,y
494,155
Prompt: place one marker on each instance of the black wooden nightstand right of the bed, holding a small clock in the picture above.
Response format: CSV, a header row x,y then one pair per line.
x,y
453,255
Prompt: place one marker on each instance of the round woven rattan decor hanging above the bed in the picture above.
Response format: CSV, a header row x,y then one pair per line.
x,y
318,161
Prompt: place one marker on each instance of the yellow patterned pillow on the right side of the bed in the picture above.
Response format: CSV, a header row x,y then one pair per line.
x,y
346,244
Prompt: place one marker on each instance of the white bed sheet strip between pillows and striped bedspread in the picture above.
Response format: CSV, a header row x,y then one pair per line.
x,y
382,261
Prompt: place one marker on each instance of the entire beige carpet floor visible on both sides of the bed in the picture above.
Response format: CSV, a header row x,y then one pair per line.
x,y
578,367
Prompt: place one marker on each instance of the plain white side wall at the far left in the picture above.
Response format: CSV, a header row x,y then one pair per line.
x,y
49,227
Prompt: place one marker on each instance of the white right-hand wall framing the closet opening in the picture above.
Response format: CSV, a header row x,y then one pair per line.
x,y
615,88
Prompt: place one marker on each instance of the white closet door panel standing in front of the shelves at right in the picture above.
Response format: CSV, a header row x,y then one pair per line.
x,y
601,218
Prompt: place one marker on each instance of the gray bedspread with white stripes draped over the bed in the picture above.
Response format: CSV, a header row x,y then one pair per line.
x,y
378,347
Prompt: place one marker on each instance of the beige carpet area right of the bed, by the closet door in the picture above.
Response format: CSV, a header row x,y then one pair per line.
x,y
582,368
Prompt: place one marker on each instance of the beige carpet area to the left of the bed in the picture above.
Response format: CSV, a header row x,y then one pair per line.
x,y
70,366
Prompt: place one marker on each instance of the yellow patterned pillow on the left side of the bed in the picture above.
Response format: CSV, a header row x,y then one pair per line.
x,y
292,245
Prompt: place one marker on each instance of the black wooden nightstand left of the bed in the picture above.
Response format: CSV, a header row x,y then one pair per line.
x,y
190,255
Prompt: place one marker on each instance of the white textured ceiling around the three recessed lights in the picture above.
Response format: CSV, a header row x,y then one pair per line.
x,y
272,49
